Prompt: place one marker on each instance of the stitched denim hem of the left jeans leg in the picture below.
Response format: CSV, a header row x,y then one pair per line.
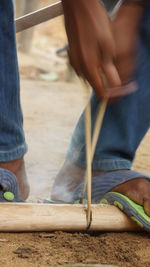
x,y
13,154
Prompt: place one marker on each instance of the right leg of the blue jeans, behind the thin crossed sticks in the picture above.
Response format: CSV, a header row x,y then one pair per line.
x,y
125,122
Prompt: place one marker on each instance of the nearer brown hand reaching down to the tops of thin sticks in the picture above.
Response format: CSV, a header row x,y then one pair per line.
x,y
91,45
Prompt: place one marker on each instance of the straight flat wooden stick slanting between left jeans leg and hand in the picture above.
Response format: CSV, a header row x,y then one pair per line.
x,y
39,16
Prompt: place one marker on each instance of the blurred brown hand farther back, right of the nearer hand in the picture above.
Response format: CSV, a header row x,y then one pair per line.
x,y
126,28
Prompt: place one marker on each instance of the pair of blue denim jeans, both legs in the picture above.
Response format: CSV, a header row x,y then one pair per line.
x,y
125,123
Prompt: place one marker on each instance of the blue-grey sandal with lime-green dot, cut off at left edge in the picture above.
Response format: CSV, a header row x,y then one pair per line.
x,y
8,186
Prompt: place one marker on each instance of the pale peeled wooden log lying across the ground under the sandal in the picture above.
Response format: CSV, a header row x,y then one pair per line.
x,y
29,217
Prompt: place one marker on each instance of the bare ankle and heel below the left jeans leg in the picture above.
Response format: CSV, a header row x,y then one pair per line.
x,y
18,168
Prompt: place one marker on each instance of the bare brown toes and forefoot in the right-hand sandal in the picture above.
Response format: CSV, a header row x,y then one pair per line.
x,y
138,190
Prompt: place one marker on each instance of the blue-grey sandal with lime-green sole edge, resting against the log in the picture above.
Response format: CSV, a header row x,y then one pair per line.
x,y
103,184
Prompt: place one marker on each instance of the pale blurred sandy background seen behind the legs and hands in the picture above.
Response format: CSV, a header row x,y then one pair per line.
x,y
52,99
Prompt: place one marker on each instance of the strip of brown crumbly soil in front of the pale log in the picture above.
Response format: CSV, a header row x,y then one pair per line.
x,y
55,249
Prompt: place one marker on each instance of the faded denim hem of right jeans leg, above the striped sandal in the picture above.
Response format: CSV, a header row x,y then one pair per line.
x,y
101,164
